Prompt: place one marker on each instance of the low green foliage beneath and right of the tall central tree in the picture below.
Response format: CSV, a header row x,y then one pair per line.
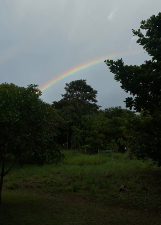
x,y
95,131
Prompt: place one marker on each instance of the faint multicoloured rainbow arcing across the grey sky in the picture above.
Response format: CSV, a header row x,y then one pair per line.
x,y
80,67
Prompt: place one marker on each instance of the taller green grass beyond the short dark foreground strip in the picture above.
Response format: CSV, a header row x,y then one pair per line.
x,y
93,175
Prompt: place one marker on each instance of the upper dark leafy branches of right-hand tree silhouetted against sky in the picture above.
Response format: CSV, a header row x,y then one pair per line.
x,y
143,81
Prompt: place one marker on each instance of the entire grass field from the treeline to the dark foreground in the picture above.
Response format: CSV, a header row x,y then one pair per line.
x,y
83,189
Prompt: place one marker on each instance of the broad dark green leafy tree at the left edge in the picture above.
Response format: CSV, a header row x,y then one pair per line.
x,y
28,126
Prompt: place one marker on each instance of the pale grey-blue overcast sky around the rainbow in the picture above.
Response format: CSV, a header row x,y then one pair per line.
x,y
40,39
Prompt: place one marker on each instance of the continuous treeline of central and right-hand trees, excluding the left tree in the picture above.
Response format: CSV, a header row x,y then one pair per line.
x,y
92,129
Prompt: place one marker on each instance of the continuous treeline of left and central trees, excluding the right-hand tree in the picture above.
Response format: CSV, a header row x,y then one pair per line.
x,y
32,131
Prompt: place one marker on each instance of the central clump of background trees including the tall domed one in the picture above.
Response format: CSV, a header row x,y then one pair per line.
x,y
86,127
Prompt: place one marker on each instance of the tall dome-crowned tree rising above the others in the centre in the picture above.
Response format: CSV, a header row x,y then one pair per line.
x,y
79,100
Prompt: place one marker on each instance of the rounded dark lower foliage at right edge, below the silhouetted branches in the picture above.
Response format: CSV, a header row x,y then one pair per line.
x,y
143,136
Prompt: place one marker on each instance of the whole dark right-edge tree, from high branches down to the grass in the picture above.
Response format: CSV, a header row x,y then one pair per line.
x,y
144,83
